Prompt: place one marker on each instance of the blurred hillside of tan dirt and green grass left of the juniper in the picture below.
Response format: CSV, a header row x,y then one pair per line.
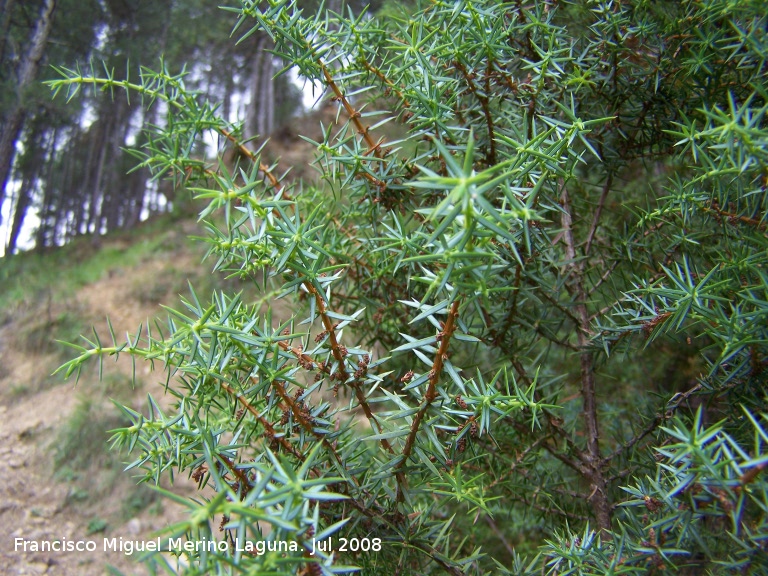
x,y
59,481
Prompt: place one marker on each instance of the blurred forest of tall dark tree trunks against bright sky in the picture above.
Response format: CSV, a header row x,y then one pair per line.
x,y
64,169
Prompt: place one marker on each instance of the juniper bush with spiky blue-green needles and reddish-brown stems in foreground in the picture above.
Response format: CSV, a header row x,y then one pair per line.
x,y
542,310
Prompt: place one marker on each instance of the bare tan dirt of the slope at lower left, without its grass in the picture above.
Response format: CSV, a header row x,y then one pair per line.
x,y
37,503
